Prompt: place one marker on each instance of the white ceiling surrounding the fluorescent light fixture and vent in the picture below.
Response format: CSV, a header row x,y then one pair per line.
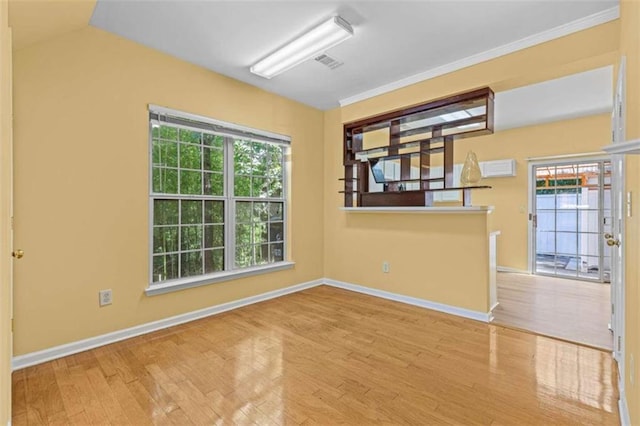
x,y
395,42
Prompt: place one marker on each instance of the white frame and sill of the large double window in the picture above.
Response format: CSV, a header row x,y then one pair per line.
x,y
230,132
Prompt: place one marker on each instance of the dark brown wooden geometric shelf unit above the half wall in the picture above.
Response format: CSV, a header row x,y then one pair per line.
x,y
380,146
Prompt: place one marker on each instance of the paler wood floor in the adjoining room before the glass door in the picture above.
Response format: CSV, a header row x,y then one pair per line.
x,y
577,311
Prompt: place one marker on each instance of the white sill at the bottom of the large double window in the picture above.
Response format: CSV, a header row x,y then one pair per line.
x,y
182,284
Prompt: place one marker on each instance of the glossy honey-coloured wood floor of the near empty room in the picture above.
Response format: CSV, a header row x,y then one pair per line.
x,y
324,356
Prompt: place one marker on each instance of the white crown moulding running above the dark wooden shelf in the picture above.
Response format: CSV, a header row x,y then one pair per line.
x,y
552,34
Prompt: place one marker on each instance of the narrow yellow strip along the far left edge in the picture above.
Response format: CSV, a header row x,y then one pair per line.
x,y
5,217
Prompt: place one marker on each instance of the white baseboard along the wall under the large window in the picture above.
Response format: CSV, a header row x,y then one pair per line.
x,y
55,352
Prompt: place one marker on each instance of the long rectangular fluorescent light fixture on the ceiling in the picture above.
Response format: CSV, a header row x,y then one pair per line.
x,y
318,40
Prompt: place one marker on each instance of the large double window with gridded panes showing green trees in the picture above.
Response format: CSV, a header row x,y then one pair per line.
x,y
217,198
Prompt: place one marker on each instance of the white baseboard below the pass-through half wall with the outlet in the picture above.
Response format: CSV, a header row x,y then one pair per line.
x,y
440,307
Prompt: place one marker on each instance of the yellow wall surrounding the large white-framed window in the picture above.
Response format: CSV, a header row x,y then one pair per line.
x,y
81,183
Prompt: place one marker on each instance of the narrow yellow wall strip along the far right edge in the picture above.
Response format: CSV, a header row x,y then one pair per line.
x,y
630,47
